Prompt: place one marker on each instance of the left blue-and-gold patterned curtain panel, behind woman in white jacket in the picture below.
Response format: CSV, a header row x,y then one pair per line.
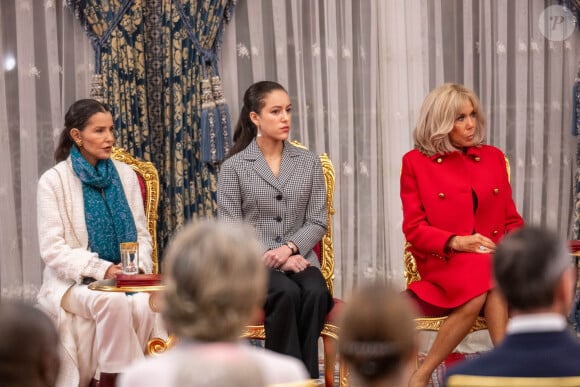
x,y
116,31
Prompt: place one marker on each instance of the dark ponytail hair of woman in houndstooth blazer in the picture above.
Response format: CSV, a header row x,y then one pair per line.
x,y
254,97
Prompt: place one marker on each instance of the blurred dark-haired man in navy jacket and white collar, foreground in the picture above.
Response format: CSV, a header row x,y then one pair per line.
x,y
533,271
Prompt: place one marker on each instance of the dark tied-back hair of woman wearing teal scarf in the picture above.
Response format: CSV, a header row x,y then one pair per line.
x,y
77,116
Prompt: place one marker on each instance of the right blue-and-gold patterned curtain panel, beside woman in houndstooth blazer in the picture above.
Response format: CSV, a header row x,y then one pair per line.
x,y
191,33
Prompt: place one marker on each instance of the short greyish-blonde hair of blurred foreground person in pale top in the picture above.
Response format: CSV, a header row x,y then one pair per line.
x,y
214,281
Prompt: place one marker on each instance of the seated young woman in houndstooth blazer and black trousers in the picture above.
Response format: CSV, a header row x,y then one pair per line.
x,y
279,189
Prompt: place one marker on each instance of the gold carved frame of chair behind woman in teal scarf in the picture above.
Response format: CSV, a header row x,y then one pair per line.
x,y
149,174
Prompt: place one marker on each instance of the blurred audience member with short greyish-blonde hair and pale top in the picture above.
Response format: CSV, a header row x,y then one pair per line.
x,y
215,282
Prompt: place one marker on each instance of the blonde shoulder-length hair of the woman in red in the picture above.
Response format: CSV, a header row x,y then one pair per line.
x,y
437,118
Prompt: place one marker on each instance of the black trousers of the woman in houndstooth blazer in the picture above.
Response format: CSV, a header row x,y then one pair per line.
x,y
296,306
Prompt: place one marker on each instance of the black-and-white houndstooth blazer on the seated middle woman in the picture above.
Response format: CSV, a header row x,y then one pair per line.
x,y
290,207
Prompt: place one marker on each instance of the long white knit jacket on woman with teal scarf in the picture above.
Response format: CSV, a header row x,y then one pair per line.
x,y
63,241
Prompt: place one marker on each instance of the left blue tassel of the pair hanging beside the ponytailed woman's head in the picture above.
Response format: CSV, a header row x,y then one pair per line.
x,y
209,119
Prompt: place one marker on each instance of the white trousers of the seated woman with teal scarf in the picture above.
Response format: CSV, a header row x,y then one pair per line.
x,y
123,324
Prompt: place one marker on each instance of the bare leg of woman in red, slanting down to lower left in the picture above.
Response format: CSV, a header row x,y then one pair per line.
x,y
452,331
